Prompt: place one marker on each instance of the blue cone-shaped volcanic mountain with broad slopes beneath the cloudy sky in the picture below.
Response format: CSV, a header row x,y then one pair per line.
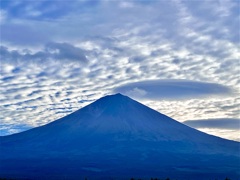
x,y
117,137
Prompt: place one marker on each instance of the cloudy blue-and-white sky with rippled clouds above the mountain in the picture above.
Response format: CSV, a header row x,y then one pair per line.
x,y
181,58
